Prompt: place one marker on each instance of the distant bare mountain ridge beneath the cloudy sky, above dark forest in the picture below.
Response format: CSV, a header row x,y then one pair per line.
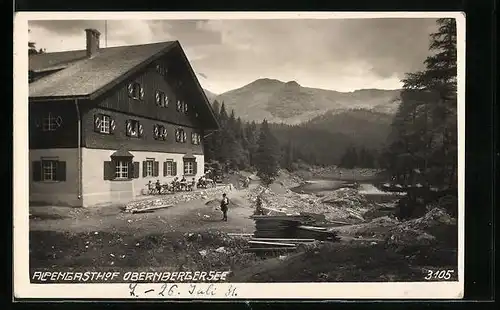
x,y
290,103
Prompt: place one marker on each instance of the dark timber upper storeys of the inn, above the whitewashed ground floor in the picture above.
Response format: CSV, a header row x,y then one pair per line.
x,y
120,106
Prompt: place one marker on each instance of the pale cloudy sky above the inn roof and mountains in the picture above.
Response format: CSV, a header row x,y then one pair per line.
x,y
337,54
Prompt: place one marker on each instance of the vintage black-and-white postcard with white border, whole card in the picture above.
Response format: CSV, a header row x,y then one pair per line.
x,y
239,155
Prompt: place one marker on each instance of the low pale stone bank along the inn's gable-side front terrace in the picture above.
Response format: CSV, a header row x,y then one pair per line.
x,y
173,199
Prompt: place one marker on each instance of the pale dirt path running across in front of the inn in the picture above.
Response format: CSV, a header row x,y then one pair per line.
x,y
190,216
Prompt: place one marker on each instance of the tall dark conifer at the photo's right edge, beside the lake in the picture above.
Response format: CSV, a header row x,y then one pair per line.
x,y
424,135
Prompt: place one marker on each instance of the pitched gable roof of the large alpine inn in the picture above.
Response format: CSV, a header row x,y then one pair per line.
x,y
80,77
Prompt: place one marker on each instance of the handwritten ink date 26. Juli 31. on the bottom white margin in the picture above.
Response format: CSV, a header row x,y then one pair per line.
x,y
181,290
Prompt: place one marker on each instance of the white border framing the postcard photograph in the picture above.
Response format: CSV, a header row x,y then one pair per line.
x,y
395,290
